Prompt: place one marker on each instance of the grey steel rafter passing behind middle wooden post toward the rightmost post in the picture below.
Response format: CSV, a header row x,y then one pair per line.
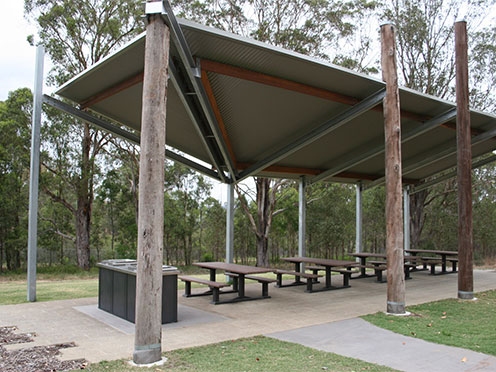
x,y
378,149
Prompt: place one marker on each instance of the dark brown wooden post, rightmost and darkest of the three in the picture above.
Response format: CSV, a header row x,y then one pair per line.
x,y
464,166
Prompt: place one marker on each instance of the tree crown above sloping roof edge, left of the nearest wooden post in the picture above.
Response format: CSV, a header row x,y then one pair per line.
x,y
78,34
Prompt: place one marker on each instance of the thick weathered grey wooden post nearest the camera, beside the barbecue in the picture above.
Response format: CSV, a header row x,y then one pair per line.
x,y
148,335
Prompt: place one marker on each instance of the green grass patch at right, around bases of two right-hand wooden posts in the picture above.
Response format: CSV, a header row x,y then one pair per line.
x,y
466,324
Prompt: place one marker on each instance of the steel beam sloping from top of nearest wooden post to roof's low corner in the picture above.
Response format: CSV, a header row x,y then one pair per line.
x,y
193,73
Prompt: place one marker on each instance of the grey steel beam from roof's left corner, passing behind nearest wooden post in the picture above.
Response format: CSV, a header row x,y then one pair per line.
x,y
124,134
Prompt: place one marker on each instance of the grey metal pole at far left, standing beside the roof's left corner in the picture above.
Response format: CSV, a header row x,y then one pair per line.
x,y
35,173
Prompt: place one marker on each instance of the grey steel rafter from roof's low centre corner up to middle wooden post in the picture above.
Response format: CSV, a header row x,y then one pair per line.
x,y
324,129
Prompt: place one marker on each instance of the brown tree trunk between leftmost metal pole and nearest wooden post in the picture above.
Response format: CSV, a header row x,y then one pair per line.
x,y
84,201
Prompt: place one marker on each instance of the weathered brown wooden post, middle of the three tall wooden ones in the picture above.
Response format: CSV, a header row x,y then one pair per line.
x,y
394,208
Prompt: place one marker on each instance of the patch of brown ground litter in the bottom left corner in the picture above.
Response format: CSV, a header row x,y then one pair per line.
x,y
33,359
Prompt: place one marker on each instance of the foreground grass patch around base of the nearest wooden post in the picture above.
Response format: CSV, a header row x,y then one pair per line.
x,y
248,354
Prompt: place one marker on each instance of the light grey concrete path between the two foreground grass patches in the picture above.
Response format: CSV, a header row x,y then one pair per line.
x,y
356,338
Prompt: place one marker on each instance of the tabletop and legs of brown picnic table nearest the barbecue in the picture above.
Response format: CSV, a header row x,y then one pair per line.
x,y
241,272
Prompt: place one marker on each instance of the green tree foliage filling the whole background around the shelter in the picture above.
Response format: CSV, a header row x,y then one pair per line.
x,y
79,34
